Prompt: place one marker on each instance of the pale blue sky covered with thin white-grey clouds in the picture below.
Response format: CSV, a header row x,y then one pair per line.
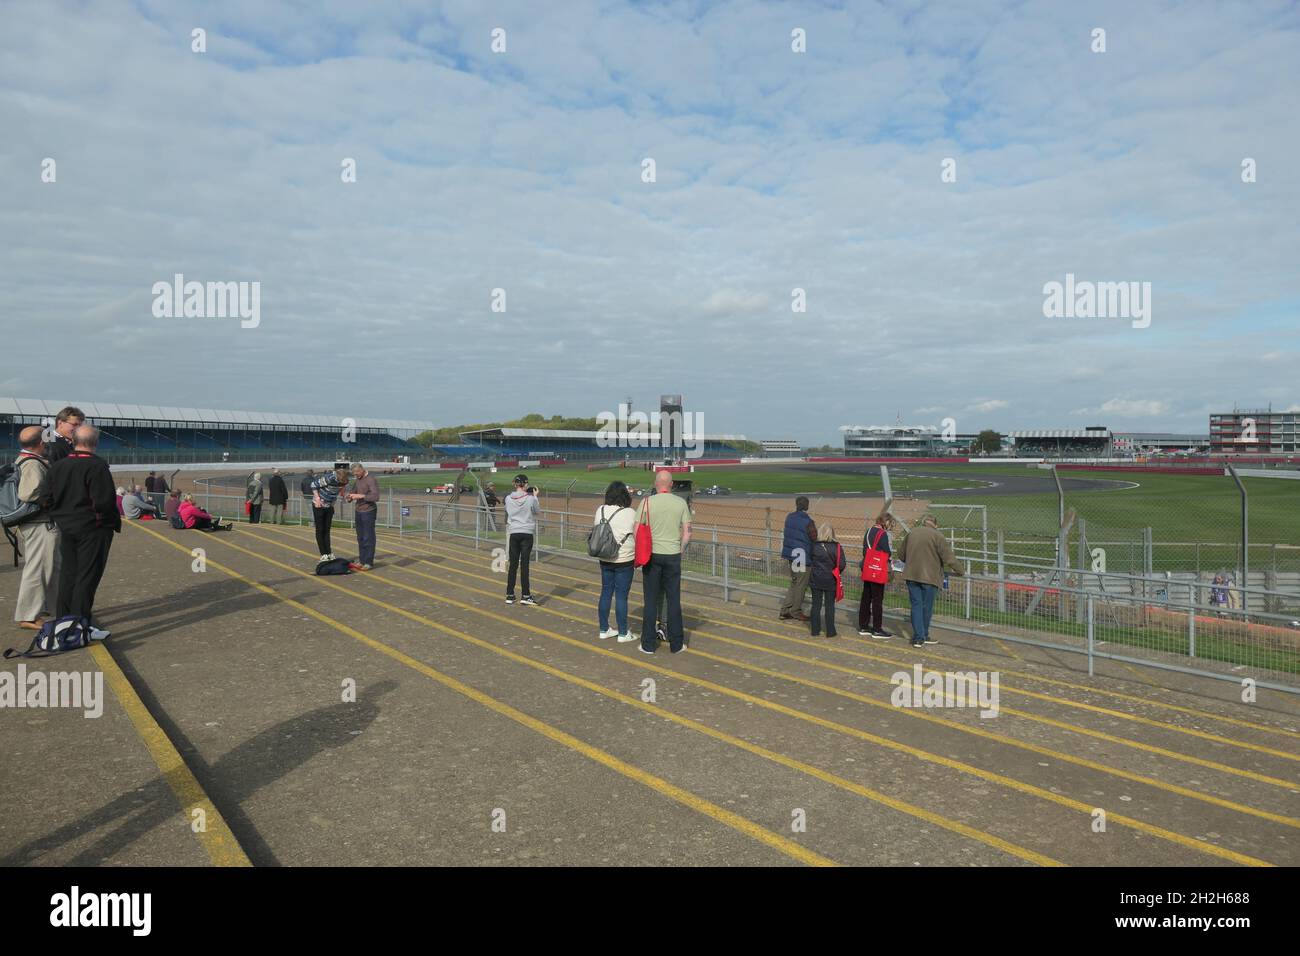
x,y
774,171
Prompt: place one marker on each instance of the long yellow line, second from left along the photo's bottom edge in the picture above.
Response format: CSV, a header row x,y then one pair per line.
x,y
608,760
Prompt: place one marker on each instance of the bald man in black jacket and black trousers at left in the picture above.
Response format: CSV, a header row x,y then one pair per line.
x,y
81,490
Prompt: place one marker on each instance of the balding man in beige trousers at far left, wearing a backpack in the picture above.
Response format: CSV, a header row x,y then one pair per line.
x,y
38,537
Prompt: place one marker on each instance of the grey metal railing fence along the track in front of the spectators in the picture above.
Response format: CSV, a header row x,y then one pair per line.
x,y
1013,589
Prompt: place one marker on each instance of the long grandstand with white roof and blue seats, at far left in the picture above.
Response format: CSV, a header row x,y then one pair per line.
x,y
163,435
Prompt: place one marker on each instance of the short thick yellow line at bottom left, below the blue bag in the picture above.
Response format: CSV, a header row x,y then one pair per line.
x,y
216,838
